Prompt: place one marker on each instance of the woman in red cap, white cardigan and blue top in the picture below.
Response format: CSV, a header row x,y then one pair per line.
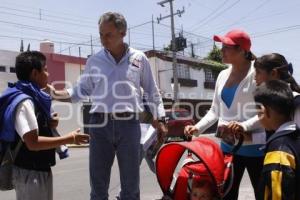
x,y
234,108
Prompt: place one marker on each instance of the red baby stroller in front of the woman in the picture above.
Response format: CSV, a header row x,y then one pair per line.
x,y
205,160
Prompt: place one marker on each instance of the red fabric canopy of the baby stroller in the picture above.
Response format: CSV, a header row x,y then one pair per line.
x,y
206,150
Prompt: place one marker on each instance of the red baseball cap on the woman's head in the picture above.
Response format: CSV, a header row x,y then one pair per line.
x,y
235,37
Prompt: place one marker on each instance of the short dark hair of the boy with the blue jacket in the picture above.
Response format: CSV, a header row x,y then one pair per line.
x,y
27,61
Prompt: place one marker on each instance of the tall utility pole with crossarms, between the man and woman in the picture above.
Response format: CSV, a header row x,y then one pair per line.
x,y
173,45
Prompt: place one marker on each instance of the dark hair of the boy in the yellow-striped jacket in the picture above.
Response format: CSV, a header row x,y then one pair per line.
x,y
277,95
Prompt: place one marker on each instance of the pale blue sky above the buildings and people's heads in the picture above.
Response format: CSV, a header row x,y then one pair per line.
x,y
272,24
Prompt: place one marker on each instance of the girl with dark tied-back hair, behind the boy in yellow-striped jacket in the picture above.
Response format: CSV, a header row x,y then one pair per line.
x,y
274,66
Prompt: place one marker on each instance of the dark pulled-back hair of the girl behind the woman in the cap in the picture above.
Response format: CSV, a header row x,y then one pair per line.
x,y
278,62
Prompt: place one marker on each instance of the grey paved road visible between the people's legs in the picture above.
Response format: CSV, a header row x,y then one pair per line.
x,y
71,180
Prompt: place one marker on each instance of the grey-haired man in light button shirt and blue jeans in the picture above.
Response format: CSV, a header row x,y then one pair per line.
x,y
113,79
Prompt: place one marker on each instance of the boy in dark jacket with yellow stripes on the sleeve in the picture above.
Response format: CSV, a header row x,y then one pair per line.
x,y
281,175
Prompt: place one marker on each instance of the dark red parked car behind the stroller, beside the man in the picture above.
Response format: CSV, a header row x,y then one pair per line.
x,y
177,119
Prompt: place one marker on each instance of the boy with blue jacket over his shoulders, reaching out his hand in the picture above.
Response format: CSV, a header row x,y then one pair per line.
x,y
26,111
